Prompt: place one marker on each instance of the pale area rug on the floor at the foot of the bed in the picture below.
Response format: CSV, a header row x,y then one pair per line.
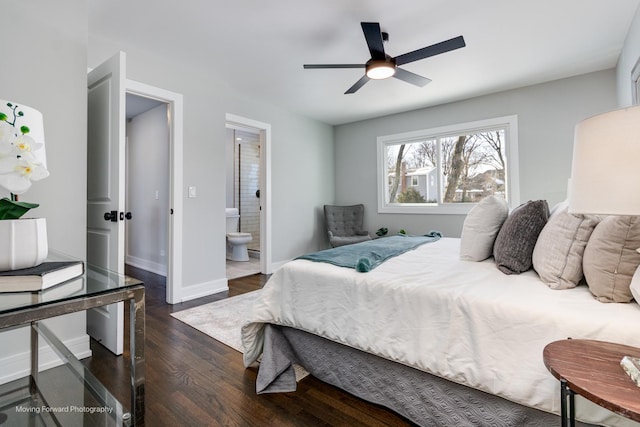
x,y
222,320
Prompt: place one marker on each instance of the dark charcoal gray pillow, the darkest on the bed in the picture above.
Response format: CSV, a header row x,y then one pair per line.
x,y
513,248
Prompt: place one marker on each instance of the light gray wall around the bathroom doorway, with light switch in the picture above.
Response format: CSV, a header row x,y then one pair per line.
x,y
302,163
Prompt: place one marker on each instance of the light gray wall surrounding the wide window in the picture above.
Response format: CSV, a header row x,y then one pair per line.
x,y
547,114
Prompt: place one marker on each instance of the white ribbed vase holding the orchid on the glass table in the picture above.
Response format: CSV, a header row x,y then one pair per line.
x,y
23,243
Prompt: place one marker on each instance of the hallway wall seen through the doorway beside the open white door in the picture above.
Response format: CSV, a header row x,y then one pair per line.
x,y
148,190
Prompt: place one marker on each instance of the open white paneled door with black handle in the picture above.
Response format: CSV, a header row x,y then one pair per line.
x,y
106,190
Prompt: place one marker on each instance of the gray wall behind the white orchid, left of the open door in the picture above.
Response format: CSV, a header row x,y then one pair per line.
x,y
44,66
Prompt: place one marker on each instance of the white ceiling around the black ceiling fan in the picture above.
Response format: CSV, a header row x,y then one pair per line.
x,y
259,46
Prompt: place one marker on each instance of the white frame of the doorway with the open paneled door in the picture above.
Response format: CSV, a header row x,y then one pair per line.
x,y
174,103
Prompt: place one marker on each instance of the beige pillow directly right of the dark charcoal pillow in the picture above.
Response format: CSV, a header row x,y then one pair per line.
x,y
557,257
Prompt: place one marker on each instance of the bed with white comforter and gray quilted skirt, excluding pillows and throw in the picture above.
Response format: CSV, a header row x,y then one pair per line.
x,y
439,340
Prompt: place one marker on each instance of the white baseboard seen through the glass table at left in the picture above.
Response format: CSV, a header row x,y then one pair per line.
x,y
19,365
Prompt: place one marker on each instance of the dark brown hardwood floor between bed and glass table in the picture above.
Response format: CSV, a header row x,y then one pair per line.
x,y
194,380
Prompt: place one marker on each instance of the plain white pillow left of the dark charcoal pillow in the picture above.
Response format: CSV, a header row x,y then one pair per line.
x,y
480,228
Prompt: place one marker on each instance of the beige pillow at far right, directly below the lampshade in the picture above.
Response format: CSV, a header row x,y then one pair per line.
x,y
610,258
